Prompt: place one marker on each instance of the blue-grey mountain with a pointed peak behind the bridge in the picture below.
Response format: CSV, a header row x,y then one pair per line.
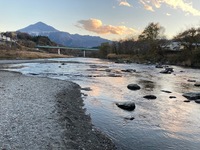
x,y
63,38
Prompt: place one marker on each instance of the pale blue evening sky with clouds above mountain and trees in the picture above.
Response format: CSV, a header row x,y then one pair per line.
x,y
110,19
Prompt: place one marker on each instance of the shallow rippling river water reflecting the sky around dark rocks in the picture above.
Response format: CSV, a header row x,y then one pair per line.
x,y
162,123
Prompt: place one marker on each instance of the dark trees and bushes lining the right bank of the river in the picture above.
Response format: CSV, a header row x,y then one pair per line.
x,y
152,46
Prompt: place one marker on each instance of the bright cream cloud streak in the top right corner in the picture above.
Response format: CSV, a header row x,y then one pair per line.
x,y
176,4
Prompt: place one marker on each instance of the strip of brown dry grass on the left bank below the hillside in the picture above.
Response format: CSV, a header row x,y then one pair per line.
x,y
19,54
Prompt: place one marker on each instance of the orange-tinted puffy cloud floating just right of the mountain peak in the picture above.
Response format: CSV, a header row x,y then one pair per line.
x,y
96,26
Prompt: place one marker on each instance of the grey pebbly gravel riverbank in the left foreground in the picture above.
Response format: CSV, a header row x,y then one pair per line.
x,y
42,113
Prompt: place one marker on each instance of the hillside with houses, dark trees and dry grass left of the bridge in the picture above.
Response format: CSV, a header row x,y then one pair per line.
x,y
22,46
